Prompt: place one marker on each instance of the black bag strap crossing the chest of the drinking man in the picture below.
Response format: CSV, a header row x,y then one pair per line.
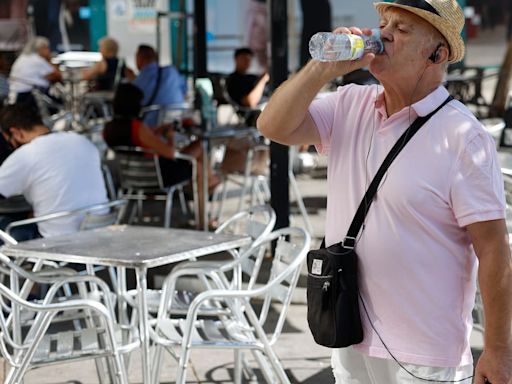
x,y
350,239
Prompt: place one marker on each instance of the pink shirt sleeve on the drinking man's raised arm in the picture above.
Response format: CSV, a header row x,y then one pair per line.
x,y
322,111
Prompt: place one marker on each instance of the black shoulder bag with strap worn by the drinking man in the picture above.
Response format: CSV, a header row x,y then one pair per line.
x,y
332,284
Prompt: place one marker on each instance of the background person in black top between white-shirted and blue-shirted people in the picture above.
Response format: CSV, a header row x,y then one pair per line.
x,y
110,70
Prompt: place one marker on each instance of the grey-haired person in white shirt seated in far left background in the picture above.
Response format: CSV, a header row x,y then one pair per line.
x,y
32,69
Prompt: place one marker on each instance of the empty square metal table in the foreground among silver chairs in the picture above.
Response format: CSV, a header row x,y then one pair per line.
x,y
127,246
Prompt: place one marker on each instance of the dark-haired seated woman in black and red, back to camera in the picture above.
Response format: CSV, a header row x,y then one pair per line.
x,y
127,129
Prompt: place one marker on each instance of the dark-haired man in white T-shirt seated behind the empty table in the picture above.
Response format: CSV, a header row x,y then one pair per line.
x,y
53,171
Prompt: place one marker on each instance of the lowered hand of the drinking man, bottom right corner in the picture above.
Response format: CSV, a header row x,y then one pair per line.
x,y
494,367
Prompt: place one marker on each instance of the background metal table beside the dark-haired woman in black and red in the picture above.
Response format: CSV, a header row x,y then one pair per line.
x,y
206,136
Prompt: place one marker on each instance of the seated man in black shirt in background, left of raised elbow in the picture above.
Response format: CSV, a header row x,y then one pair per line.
x,y
243,88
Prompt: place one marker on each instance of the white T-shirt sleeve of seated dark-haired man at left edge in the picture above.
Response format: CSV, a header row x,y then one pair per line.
x,y
13,174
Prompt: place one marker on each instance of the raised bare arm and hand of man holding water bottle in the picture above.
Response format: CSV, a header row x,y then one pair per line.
x,y
285,119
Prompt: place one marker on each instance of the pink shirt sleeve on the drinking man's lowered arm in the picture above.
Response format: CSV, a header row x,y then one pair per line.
x,y
477,192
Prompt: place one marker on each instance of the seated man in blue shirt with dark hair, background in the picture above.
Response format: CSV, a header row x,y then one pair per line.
x,y
160,85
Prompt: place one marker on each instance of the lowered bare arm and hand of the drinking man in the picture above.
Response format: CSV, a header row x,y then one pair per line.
x,y
490,241
